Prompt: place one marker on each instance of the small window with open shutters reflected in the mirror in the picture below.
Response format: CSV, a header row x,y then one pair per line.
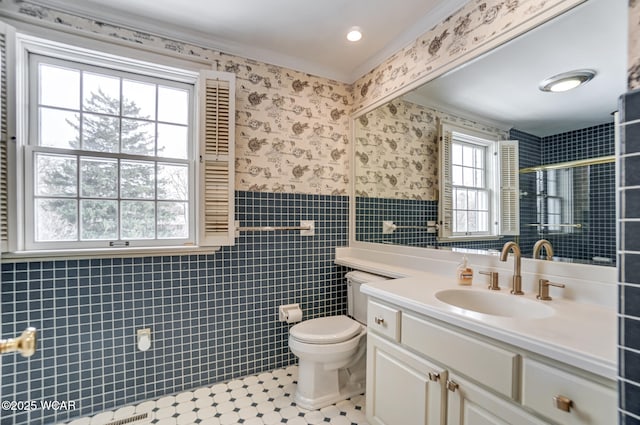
x,y
478,185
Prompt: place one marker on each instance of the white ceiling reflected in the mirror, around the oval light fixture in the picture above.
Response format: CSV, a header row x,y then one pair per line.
x,y
502,86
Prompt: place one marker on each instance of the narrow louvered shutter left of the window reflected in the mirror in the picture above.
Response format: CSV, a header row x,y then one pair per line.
x,y
445,201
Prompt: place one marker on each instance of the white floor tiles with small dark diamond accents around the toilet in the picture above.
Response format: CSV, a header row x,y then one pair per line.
x,y
256,400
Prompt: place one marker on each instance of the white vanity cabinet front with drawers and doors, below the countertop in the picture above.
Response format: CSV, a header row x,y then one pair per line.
x,y
424,371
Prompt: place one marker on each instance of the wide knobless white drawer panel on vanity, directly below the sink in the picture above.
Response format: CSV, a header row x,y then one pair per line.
x,y
492,366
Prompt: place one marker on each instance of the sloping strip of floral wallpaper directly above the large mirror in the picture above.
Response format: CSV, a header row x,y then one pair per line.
x,y
461,37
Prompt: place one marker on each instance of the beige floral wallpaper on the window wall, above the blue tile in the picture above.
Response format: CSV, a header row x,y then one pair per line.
x,y
292,129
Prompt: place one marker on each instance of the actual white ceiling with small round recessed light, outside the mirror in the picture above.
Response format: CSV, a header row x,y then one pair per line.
x,y
308,36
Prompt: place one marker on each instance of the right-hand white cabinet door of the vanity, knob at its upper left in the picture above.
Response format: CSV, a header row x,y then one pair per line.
x,y
468,404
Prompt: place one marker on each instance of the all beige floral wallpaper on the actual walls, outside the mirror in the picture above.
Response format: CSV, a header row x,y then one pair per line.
x,y
293,128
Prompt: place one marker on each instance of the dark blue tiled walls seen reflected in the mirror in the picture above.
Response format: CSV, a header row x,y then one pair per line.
x,y
595,239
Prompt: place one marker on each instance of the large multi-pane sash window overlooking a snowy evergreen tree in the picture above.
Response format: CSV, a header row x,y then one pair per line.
x,y
109,157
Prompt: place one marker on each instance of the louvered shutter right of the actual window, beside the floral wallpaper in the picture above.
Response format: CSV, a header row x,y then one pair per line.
x,y
216,168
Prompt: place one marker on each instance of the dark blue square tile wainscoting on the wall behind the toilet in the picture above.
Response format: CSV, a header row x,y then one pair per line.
x,y
212,317
